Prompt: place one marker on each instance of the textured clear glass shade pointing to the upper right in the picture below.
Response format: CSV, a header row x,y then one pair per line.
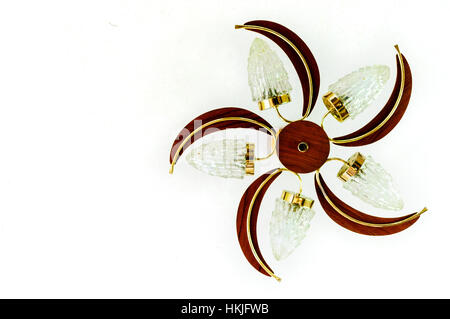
x,y
360,88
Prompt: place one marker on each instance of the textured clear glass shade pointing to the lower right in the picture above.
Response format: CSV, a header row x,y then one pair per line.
x,y
374,185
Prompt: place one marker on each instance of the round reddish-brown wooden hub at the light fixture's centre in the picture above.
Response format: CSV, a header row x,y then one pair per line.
x,y
303,146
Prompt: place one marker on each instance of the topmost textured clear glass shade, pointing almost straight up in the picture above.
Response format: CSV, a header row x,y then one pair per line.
x,y
267,77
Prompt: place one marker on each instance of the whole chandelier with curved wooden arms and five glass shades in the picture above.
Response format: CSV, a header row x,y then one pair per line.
x,y
302,146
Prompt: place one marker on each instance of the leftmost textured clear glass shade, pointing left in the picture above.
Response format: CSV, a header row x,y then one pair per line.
x,y
225,158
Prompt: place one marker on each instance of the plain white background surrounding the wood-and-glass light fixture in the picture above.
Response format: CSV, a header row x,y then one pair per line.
x,y
92,94
